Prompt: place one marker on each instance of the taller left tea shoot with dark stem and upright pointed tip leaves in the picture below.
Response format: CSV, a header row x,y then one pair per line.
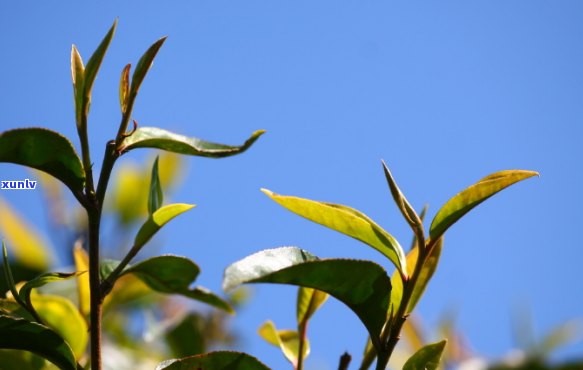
x,y
23,324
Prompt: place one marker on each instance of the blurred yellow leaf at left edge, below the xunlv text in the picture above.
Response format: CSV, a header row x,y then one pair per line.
x,y
26,245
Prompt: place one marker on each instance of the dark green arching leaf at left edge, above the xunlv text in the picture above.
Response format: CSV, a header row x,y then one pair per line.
x,y
44,150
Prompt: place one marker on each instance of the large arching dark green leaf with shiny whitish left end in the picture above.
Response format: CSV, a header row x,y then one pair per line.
x,y
362,285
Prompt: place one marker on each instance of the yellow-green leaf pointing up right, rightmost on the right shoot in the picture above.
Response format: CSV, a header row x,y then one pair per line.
x,y
463,202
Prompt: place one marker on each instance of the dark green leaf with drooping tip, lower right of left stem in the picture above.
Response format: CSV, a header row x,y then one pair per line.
x,y
173,275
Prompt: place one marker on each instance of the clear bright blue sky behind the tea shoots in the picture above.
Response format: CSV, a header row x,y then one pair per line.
x,y
445,92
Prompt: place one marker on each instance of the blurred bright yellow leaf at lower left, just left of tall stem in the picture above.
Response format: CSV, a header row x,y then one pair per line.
x,y
62,316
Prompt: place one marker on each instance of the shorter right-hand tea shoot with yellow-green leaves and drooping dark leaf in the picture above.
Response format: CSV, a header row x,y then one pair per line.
x,y
381,302
